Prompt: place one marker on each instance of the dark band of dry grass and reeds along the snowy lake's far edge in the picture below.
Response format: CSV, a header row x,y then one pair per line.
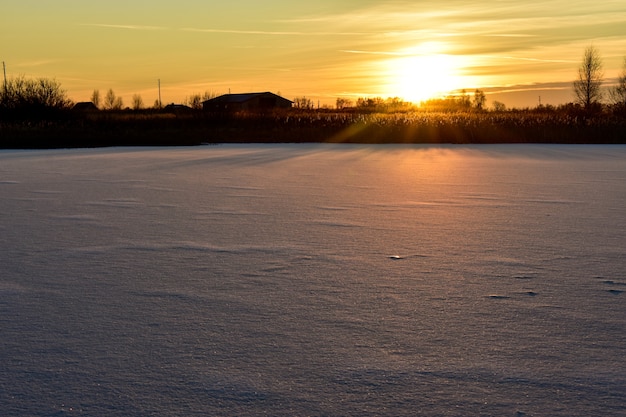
x,y
195,127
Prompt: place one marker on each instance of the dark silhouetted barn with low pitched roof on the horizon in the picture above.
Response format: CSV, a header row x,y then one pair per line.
x,y
246,102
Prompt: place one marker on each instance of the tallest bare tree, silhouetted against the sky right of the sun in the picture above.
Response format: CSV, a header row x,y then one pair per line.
x,y
587,86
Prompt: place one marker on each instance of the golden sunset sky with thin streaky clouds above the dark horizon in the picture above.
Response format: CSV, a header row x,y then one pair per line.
x,y
519,53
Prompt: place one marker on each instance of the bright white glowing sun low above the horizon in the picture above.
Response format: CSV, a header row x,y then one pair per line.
x,y
419,77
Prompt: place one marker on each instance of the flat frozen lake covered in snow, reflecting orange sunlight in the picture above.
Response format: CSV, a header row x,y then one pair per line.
x,y
313,280
